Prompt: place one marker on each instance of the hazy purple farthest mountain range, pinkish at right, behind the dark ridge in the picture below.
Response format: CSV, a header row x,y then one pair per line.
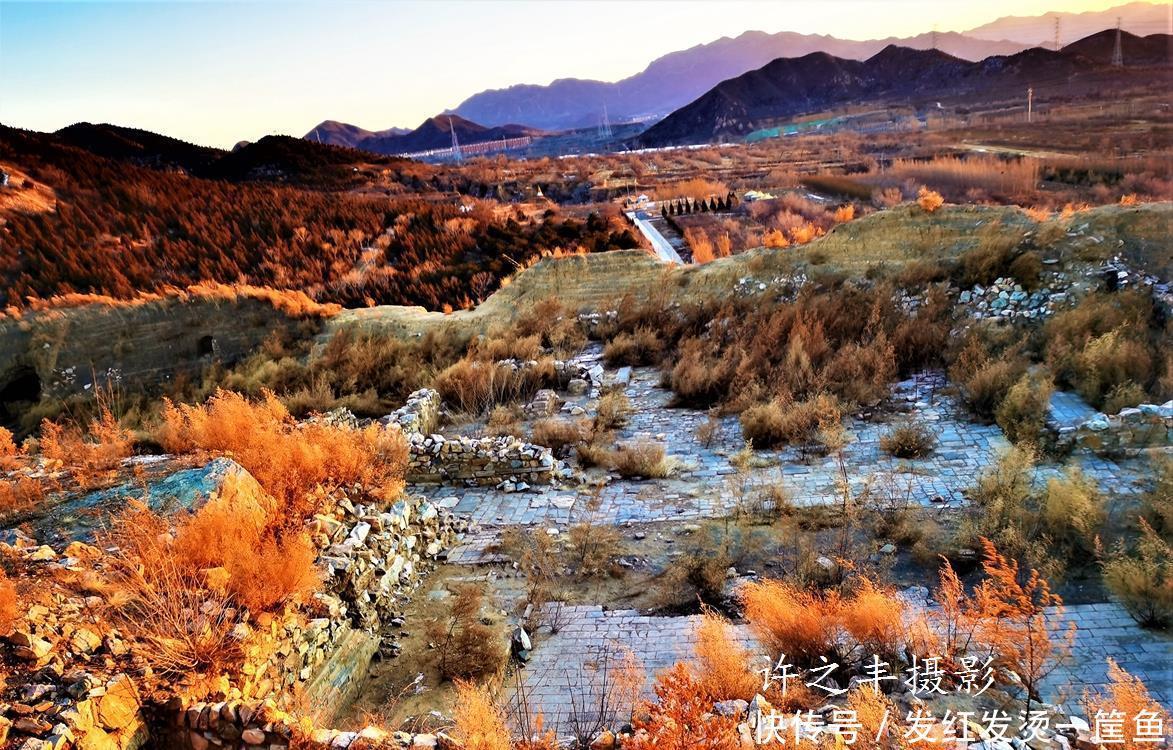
x,y
680,78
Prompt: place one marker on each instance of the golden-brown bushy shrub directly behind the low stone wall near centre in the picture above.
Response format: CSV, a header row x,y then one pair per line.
x,y
476,387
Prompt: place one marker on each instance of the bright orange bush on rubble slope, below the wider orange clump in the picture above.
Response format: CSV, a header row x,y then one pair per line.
x,y
230,533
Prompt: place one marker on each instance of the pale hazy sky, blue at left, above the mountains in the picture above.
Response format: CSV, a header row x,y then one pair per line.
x,y
218,73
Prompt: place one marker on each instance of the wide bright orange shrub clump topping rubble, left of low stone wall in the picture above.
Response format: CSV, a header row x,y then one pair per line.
x,y
293,463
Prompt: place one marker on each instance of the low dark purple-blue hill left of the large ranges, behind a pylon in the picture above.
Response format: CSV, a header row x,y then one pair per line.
x,y
433,133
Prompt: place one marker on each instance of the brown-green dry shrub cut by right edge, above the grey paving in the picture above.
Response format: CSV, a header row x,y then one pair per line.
x,y
1143,582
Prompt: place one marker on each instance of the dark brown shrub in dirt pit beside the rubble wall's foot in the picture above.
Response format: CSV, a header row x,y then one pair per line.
x,y
467,648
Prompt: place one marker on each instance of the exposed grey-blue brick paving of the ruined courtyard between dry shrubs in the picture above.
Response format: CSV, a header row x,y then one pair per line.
x,y
708,485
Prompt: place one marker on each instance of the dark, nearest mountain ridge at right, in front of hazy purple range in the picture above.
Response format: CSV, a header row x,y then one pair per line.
x,y
897,76
